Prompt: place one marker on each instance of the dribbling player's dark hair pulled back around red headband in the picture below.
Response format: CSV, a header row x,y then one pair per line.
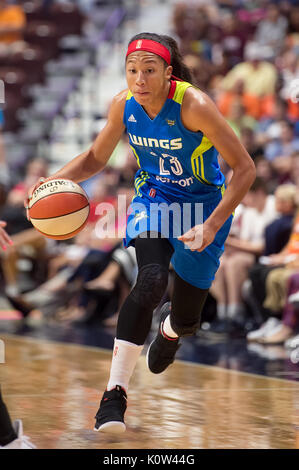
x,y
180,70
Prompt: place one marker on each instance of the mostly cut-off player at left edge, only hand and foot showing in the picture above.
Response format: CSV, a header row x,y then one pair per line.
x,y
11,435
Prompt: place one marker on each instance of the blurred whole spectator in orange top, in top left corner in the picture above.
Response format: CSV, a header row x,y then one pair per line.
x,y
12,24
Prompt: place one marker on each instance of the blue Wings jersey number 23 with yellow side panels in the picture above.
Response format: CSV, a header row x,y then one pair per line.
x,y
178,162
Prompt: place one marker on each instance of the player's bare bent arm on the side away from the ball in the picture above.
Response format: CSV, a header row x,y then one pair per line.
x,y
200,113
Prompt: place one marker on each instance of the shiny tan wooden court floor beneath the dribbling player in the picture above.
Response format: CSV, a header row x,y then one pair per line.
x,y
55,389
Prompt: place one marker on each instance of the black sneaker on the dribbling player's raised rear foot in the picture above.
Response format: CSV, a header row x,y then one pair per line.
x,y
161,351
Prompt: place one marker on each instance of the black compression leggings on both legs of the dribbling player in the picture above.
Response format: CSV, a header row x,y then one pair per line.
x,y
135,317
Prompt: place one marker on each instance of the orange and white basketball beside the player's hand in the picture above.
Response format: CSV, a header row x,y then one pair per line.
x,y
59,209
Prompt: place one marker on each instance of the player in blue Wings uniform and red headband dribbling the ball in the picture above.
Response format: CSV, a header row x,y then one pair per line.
x,y
174,131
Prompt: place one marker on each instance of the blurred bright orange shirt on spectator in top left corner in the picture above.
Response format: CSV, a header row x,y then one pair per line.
x,y
12,22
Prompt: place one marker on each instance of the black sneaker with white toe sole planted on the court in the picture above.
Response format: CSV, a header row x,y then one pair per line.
x,y
110,416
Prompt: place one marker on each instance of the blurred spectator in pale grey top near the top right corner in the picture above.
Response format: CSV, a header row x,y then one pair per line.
x,y
271,31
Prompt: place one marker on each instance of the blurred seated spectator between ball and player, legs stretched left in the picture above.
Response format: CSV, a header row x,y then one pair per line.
x,y
67,295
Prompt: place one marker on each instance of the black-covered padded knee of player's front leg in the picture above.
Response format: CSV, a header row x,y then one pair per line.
x,y
150,285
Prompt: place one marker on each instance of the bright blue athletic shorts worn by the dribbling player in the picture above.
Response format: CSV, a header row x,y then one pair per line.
x,y
153,211
